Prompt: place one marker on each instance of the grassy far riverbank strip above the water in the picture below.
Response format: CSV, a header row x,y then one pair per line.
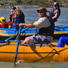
x,y
46,3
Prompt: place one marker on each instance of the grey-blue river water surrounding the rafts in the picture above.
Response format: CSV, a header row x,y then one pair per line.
x,y
30,16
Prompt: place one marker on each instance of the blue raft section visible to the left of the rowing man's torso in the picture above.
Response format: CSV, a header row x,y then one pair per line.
x,y
7,32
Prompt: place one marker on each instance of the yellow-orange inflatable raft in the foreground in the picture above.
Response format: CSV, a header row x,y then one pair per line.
x,y
33,53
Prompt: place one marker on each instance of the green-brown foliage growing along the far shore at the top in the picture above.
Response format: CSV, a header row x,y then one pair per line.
x,y
47,3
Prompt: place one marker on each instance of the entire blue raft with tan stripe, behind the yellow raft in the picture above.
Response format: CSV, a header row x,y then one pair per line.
x,y
58,32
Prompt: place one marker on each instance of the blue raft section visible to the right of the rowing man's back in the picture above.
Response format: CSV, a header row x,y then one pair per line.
x,y
61,30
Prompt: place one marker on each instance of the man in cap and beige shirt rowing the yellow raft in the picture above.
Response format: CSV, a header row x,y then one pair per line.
x,y
44,34
